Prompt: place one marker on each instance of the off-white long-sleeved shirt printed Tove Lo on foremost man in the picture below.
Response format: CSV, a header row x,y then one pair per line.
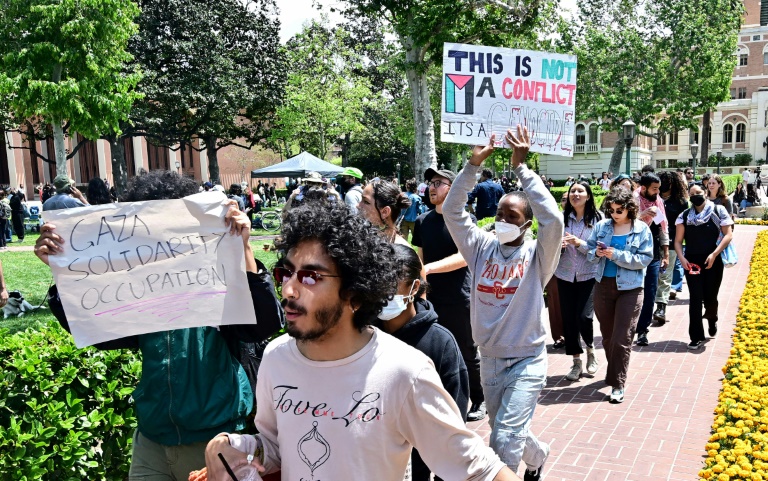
x,y
359,417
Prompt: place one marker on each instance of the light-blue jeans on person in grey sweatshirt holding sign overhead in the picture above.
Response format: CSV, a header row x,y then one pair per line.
x,y
511,388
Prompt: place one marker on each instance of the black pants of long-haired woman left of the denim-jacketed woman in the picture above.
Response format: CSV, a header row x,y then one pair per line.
x,y
577,310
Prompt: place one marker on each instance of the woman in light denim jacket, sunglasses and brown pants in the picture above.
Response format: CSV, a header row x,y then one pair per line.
x,y
623,248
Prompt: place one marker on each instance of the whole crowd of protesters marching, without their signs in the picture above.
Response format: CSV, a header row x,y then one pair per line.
x,y
403,346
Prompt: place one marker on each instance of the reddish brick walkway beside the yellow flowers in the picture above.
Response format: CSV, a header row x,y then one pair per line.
x,y
660,430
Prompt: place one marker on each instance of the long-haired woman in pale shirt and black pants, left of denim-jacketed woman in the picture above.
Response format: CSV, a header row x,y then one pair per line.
x,y
576,277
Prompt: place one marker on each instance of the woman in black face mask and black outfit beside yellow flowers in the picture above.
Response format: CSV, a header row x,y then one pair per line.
x,y
701,227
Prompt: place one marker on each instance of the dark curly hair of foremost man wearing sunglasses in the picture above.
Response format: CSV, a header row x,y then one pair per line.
x,y
365,259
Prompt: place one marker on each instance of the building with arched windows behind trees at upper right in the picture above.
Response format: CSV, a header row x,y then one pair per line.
x,y
738,126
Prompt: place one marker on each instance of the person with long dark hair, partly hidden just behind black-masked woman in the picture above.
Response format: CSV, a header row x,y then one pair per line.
x,y
674,192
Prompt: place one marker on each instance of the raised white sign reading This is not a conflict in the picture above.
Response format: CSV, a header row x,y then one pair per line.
x,y
487,90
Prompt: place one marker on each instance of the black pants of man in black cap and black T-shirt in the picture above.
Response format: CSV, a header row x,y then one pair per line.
x,y
455,318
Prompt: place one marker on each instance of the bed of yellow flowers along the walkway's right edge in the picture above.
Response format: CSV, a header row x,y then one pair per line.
x,y
738,447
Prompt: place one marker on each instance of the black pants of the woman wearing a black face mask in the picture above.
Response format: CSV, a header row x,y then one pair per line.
x,y
703,290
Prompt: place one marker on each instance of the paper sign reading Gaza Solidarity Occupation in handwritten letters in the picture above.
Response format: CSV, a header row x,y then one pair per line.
x,y
140,267
